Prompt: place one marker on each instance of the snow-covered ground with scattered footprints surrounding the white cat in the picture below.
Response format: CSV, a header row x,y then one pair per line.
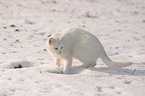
x,y
24,29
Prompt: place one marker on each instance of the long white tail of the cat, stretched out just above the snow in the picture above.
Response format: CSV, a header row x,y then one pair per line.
x,y
113,64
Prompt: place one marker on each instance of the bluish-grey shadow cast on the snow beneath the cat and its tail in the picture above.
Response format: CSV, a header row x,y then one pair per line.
x,y
119,71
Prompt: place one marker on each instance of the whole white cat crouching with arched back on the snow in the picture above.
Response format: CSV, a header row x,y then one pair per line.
x,y
79,44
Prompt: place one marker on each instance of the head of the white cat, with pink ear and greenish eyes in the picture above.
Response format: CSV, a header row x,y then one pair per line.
x,y
55,46
